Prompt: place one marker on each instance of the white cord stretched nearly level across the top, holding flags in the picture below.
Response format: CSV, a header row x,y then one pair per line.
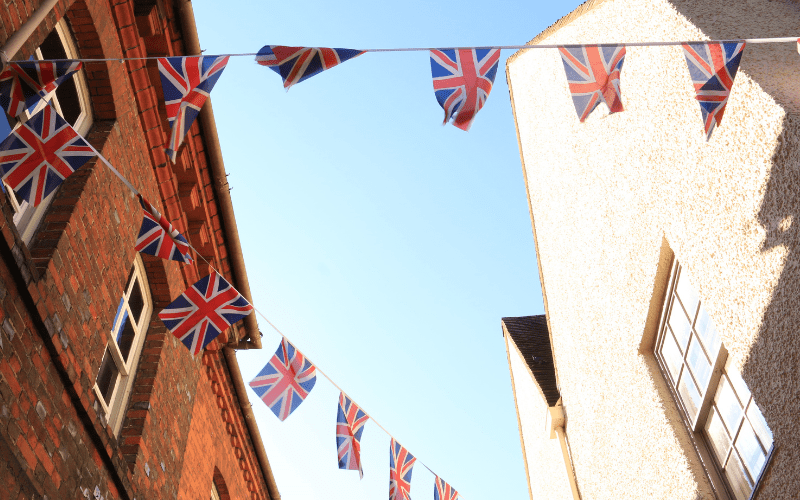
x,y
504,47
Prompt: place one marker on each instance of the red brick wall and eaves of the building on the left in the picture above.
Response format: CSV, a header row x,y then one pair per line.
x,y
186,420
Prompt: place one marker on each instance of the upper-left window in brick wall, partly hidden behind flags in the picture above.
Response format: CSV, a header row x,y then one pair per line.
x,y
70,100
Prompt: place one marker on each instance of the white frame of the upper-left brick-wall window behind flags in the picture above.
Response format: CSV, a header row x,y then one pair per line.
x,y
27,218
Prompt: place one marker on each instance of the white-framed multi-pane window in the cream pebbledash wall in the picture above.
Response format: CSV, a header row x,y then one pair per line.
x,y
716,403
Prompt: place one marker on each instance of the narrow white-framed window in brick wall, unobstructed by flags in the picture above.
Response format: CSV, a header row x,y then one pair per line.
x,y
115,377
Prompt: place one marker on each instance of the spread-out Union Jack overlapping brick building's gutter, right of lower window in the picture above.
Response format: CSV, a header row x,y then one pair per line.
x,y
203,311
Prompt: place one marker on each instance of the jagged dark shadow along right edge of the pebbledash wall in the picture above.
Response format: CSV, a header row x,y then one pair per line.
x,y
774,362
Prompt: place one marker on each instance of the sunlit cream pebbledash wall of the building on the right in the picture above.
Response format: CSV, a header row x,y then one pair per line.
x,y
614,199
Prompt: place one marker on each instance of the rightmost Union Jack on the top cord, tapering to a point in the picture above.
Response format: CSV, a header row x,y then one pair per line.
x,y
713,67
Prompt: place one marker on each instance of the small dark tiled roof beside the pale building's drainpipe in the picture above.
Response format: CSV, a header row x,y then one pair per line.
x,y
531,337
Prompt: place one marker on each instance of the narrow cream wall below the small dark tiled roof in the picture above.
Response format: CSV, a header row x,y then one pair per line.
x,y
547,474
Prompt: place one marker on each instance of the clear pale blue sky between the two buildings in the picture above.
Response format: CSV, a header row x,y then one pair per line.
x,y
385,246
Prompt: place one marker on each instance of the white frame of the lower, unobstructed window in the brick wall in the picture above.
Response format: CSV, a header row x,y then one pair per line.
x,y
114,410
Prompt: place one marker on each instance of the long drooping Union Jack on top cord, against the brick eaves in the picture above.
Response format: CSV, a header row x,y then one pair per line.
x,y
187,83
